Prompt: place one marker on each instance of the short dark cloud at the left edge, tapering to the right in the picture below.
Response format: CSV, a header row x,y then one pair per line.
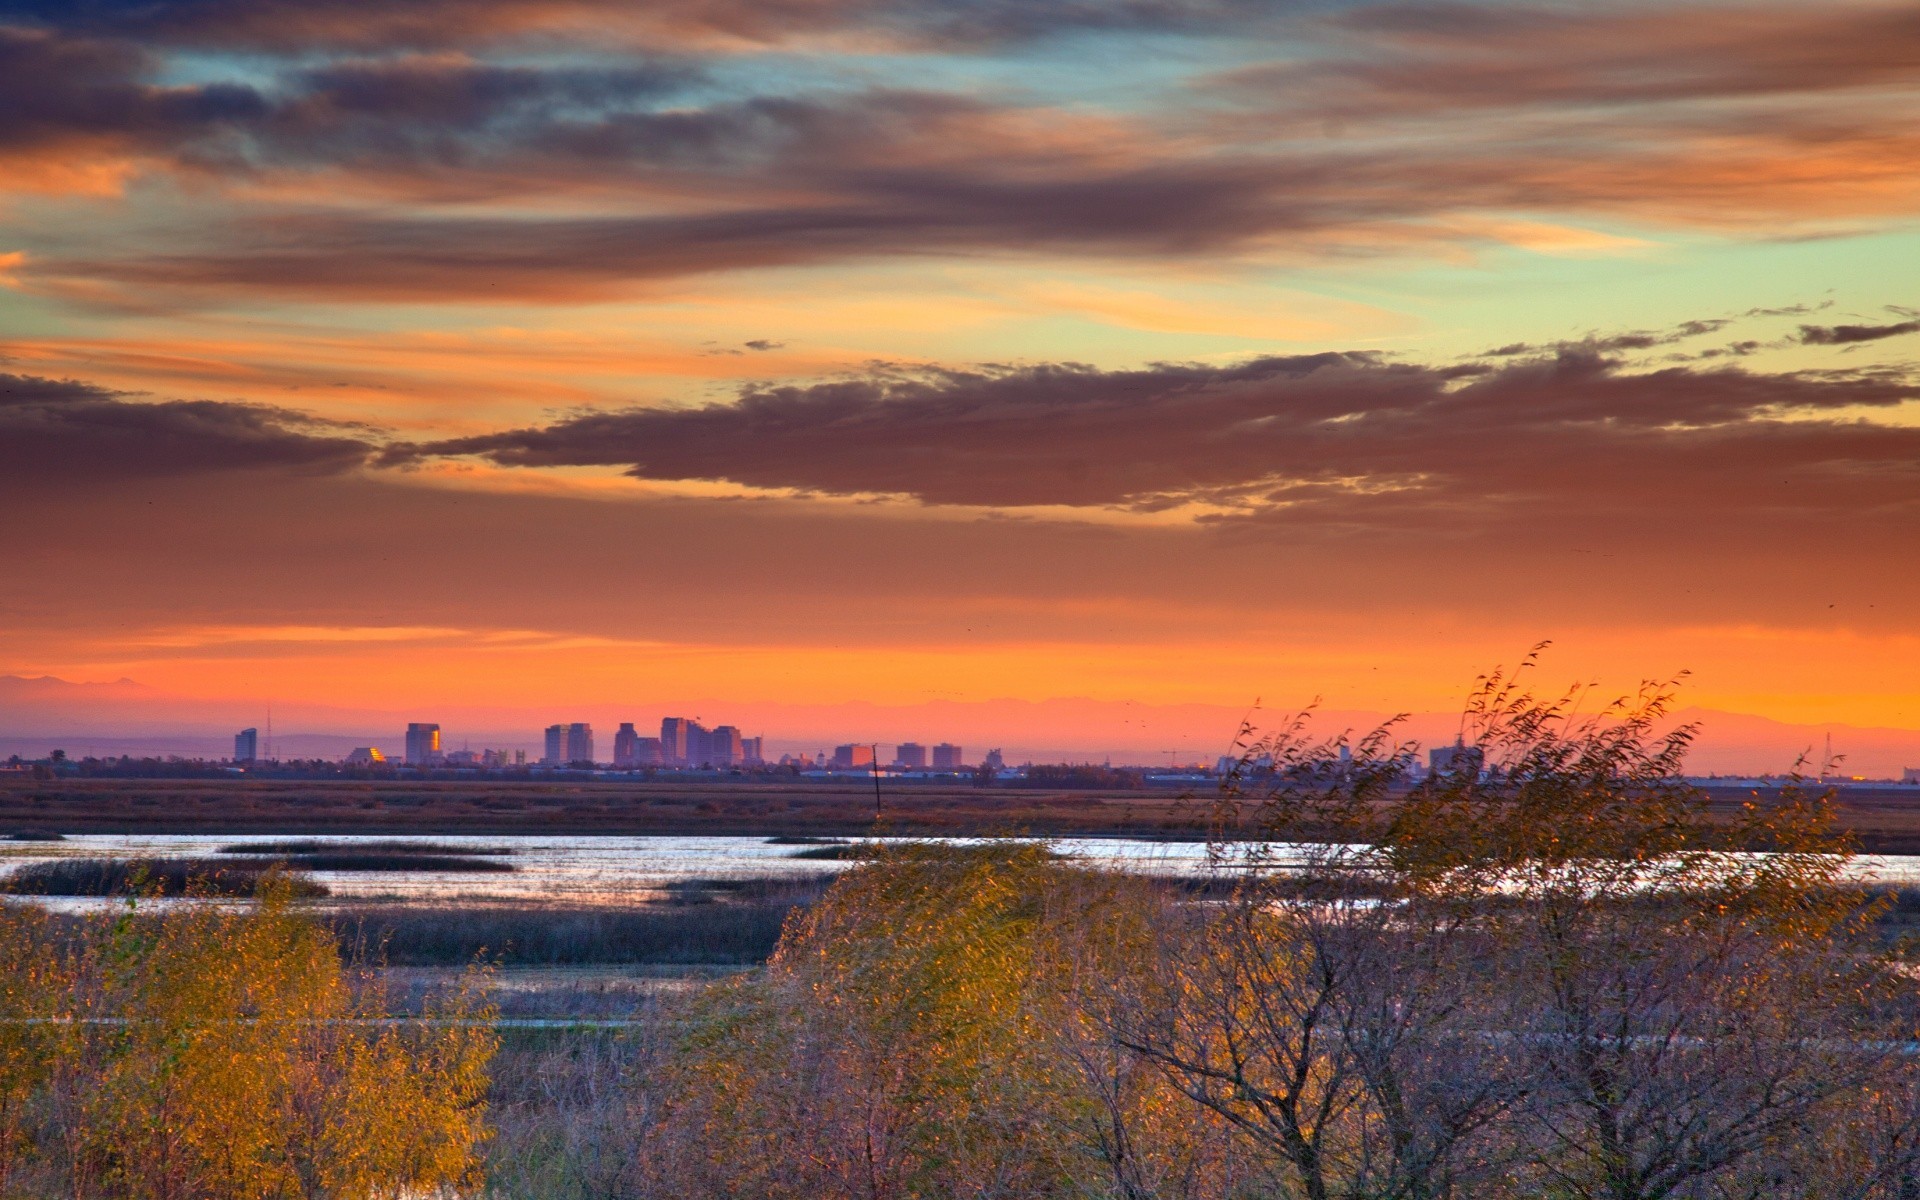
x,y
78,435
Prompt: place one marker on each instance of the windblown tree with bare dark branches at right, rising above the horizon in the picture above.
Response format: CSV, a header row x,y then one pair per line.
x,y
1550,972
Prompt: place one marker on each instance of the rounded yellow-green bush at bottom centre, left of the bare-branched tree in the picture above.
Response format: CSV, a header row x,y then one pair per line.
x,y
934,1028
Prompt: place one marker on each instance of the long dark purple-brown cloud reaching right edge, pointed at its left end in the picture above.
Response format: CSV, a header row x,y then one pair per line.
x,y
1312,439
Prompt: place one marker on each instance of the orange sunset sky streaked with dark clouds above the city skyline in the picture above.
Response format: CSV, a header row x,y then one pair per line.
x,y
427,356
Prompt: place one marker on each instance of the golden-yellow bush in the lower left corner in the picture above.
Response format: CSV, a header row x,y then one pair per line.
x,y
224,1053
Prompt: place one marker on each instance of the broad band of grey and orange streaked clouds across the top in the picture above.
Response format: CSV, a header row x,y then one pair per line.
x,y
343,141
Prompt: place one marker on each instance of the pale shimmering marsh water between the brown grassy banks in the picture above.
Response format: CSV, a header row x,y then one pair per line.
x,y
600,871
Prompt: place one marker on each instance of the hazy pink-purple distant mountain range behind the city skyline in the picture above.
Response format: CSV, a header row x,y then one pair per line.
x,y
130,719
